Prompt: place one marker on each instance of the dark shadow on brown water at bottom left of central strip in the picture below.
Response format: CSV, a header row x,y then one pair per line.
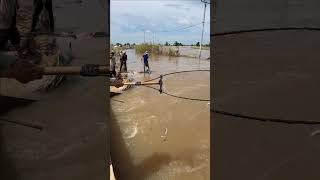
x,y
124,168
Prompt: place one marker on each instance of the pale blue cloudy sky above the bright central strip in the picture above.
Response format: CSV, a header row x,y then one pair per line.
x,y
130,18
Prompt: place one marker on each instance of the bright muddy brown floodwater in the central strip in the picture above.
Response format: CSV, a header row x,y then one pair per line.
x,y
154,136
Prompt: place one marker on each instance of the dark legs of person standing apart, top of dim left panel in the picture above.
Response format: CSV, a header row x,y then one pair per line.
x,y
38,4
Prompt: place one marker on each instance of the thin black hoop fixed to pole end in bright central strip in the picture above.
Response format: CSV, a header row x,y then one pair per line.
x,y
175,96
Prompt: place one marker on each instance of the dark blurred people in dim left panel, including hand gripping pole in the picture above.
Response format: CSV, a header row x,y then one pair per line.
x,y
10,65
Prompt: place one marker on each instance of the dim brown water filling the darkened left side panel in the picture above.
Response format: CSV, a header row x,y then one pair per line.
x,y
73,144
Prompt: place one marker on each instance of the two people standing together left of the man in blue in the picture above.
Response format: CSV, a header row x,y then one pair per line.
x,y
123,63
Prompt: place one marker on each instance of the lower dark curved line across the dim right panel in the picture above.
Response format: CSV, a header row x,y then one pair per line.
x,y
265,119
